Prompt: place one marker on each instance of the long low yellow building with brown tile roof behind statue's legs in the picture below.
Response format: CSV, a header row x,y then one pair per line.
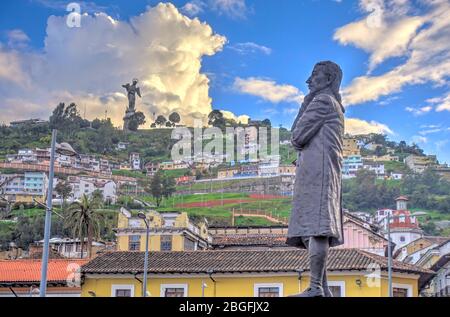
x,y
245,273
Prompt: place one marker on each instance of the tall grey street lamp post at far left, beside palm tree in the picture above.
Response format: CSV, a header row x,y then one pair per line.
x,y
64,149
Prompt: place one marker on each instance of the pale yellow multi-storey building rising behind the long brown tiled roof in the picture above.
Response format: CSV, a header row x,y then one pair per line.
x,y
169,232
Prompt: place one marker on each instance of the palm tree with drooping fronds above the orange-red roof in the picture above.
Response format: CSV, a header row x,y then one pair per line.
x,y
84,219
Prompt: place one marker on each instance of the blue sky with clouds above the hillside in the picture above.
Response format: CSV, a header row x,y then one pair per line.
x,y
248,58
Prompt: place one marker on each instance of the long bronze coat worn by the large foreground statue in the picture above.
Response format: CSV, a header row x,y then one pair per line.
x,y
317,205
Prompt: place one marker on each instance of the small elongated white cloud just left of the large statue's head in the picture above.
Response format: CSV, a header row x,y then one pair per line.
x,y
268,90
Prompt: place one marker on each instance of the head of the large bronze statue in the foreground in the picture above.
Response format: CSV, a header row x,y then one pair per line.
x,y
326,74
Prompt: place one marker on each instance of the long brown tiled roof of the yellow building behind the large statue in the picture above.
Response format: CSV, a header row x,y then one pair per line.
x,y
282,260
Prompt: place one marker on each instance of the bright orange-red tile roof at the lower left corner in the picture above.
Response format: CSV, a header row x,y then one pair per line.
x,y
22,271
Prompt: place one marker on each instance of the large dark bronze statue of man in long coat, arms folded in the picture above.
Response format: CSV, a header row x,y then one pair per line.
x,y
316,222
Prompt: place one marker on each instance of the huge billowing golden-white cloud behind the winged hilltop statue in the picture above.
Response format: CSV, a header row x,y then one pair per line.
x,y
87,65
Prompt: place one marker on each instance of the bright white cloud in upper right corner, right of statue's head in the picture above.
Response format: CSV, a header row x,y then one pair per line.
x,y
393,29
